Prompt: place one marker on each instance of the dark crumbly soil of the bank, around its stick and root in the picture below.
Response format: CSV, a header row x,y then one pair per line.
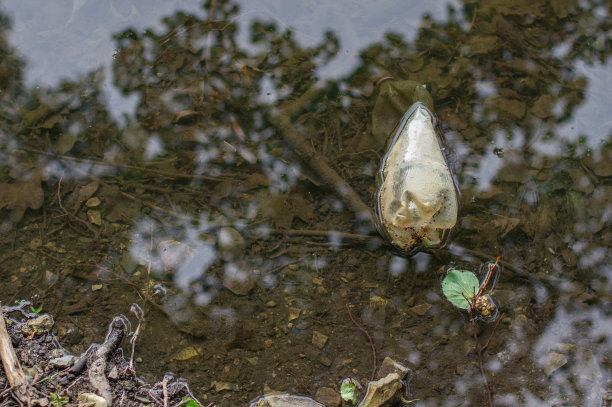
x,y
56,377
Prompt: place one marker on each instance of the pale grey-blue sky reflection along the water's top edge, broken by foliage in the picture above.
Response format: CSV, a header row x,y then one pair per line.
x,y
79,32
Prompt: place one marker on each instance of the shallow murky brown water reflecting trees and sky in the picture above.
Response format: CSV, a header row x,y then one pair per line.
x,y
161,154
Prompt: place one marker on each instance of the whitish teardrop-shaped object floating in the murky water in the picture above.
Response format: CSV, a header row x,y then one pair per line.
x,y
417,197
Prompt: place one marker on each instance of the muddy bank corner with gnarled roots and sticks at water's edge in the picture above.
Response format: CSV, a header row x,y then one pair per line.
x,y
38,371
